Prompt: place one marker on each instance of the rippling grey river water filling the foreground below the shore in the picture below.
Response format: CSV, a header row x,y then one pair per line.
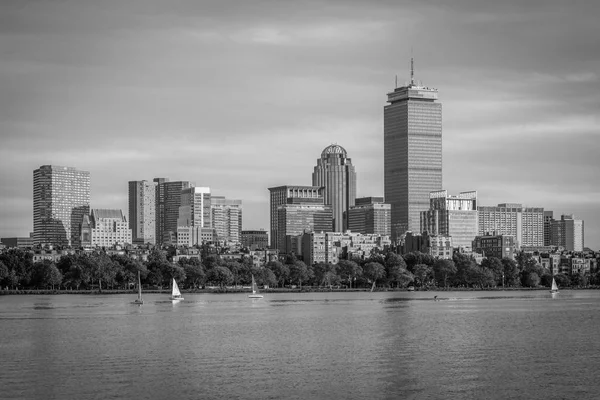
x,y
463,345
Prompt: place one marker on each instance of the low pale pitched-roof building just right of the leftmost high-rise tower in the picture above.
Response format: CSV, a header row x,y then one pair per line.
x,y
105,228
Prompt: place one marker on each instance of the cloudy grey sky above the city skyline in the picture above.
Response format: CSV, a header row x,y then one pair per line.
x,y
241,96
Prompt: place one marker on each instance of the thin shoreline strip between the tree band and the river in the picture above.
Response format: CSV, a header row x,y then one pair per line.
x,y
265,291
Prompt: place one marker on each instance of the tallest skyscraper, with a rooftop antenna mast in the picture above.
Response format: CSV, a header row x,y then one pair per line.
x,y
412,153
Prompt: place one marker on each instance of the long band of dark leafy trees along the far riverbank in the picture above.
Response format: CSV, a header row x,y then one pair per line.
x,y
386,269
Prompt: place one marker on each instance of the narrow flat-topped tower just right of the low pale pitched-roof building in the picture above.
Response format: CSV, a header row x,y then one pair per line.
x,y
142,211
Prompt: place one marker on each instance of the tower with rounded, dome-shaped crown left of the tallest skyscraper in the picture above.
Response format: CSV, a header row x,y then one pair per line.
x,y
335,172
